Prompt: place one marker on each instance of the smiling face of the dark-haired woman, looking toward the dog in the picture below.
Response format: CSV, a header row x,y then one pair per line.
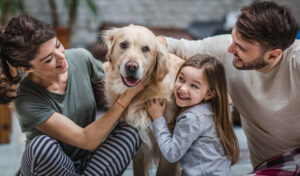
x,y
50,59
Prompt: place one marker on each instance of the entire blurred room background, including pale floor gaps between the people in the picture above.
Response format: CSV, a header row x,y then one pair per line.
x,y
79,24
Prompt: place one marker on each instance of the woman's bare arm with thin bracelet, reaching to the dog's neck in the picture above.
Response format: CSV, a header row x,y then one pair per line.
x,y
63,129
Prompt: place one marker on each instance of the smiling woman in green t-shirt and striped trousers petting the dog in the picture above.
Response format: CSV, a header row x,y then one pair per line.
x,y
56,107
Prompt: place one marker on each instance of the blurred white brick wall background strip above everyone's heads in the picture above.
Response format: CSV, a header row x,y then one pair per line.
x,y
83,19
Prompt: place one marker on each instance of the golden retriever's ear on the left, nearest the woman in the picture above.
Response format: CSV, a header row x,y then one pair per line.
x,y
108,37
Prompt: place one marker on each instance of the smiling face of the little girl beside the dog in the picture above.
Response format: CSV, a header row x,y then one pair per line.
x,y
191,87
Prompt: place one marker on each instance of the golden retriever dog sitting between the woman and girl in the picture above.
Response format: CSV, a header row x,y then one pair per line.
x,y
134,53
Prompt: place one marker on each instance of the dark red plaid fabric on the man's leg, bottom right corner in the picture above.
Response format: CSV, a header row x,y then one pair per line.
x,y
286,164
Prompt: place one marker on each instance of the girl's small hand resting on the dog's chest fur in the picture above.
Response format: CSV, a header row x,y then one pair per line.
x,y
156,108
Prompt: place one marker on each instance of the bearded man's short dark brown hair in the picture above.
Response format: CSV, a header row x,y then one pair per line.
x,y
267,23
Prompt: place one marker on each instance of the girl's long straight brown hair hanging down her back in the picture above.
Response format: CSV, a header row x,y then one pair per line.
x,y
214,73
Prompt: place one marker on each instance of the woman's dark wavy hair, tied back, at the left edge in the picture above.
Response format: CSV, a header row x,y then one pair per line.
x,y
19,42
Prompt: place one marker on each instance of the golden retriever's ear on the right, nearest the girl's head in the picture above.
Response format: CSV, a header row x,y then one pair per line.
x,y
161,62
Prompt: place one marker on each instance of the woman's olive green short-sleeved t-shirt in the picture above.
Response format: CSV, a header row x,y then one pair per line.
x,y
34,104
